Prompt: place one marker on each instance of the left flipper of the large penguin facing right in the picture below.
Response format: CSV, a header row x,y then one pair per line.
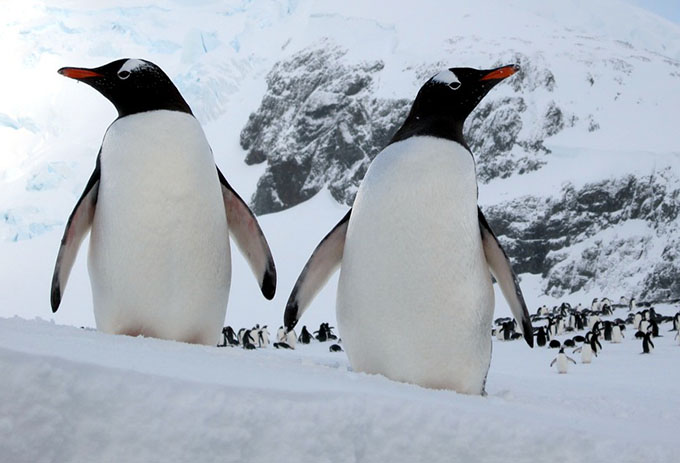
x,y
324,261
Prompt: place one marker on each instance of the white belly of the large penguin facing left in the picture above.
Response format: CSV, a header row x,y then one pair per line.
x,y
159,258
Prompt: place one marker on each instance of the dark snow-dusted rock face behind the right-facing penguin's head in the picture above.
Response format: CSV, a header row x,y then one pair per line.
x,y
319,125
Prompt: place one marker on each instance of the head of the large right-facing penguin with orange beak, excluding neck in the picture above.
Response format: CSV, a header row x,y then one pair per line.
x,y
455,92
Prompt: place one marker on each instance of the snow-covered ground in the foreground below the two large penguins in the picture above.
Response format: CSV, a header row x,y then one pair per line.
x,y
77,395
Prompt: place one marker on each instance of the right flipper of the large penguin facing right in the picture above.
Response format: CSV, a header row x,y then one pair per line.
x,y
500,267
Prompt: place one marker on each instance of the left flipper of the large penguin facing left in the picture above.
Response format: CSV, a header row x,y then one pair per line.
x,y
77,226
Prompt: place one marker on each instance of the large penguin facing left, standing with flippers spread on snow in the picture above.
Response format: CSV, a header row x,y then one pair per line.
x,y
160,213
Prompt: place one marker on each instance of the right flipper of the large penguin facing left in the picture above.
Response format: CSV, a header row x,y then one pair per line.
x,y
245,230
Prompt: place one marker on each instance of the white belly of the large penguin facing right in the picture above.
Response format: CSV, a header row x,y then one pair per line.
x,y
415,301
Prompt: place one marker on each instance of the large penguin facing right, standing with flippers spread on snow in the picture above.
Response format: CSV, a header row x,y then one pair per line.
x,y
417,253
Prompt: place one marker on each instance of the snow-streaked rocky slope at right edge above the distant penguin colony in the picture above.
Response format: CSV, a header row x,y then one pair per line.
x,y
598,236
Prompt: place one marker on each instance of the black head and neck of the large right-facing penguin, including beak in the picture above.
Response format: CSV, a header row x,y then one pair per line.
x,y
447,99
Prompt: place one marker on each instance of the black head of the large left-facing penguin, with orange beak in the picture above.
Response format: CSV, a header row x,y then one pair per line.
x,y
132,85
